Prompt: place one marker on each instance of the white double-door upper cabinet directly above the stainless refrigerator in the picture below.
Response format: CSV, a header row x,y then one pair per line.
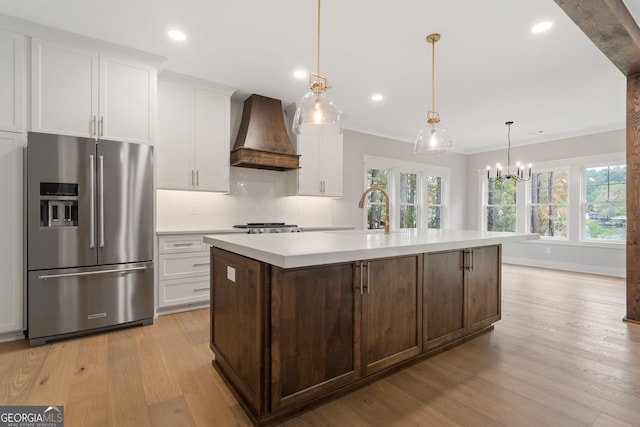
x,y
84,93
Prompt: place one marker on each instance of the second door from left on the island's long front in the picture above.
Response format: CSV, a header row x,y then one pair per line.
x,y
391,311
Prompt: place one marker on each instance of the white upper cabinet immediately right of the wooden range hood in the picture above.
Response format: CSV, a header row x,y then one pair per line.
x,y
320,172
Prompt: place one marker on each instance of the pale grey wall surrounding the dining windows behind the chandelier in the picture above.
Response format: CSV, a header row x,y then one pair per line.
x,y
572,255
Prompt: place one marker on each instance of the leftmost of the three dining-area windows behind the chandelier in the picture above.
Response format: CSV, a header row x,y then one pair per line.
x,y
501,205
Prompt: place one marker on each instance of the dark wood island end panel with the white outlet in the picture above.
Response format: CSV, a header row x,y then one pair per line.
x,y
238,323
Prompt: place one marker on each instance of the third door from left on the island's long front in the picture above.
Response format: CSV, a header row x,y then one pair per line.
x,y
444,297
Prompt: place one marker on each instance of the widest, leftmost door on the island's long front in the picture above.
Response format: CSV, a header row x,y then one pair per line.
x,y
312,332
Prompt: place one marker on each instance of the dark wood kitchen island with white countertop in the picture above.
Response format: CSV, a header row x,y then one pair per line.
x,y
298,318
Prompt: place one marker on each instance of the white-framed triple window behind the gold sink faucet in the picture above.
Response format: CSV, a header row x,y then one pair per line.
x,y
417,194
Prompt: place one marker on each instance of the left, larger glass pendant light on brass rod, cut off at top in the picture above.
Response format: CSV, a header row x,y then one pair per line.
x,y
317,114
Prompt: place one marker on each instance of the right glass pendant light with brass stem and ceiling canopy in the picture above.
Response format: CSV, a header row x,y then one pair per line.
x,y
433,137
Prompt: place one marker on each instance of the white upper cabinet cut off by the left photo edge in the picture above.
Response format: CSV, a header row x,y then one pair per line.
x,y
11,81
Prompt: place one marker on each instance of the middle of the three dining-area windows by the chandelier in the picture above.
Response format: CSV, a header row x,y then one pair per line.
x,y
548,210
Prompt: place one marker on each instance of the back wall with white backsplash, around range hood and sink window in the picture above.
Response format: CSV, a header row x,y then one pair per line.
x,y
262,195
